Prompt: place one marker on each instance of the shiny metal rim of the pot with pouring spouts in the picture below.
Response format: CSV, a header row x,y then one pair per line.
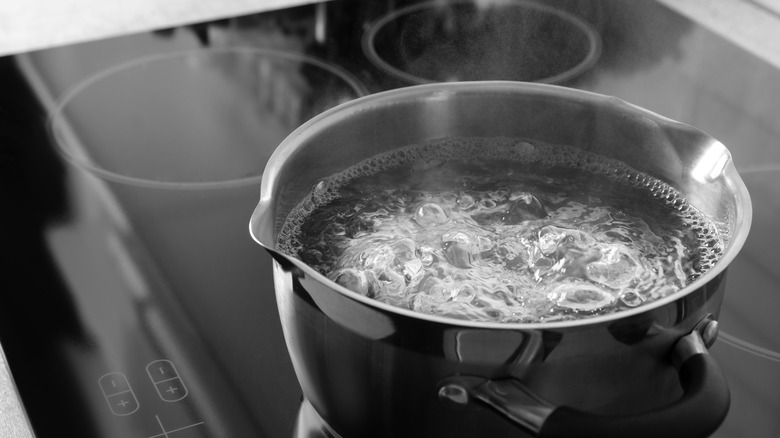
x,y
263,214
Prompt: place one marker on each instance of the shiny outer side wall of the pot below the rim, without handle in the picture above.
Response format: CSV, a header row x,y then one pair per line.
x,y
369,372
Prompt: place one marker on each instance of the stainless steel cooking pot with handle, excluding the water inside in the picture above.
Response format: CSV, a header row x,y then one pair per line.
x,y
371,369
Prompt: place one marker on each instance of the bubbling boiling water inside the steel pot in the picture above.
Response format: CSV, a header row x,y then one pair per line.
x,y
501,230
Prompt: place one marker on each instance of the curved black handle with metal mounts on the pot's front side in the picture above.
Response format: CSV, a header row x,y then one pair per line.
x,y
698,413
